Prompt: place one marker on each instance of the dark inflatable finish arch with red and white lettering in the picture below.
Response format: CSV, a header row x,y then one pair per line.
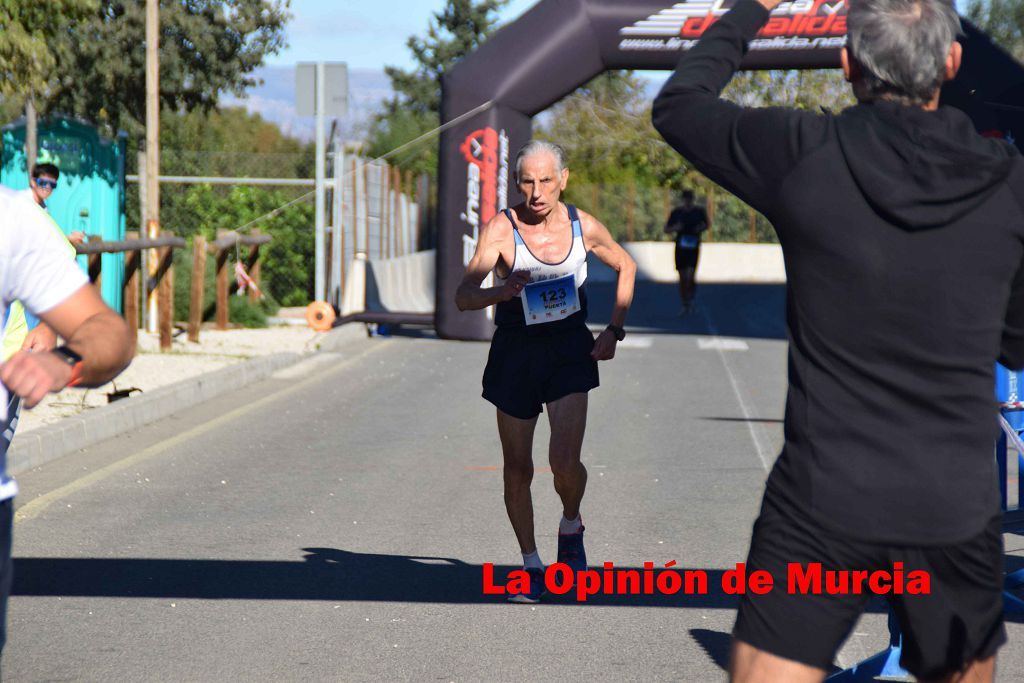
x,y
559,46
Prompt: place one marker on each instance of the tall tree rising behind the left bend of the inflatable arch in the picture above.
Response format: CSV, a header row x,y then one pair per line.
x,y
453,33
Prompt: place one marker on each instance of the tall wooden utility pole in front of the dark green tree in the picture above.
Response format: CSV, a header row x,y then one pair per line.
x,y
152,229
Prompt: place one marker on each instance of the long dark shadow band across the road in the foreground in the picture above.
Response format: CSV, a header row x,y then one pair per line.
x,y
324,574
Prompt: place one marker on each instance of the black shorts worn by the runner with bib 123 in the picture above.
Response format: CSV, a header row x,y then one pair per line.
x,y
528,369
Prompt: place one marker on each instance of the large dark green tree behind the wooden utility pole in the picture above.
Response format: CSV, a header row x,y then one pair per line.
x,y
207,48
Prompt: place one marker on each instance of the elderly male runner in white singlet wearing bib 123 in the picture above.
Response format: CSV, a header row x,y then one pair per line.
x,y
542,353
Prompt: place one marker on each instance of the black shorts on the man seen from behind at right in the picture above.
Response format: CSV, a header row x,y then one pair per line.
x,y
961,620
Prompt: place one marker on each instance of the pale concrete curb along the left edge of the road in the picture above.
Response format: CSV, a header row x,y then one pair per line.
x,y
74,434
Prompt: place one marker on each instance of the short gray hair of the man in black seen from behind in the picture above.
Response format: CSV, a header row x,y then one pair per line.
x,y
902,47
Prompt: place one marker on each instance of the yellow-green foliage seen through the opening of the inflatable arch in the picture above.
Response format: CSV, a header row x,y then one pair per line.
x,y
624,173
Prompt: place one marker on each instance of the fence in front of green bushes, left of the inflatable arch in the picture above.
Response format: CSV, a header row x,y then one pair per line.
x,y
378,216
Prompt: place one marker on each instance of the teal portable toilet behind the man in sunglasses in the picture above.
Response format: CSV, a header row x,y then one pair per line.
x,y
91,194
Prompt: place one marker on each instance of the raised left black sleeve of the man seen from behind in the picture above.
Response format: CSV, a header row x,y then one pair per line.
x,y
747,151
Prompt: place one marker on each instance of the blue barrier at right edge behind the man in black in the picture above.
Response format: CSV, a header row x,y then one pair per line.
x,y
1009,389
